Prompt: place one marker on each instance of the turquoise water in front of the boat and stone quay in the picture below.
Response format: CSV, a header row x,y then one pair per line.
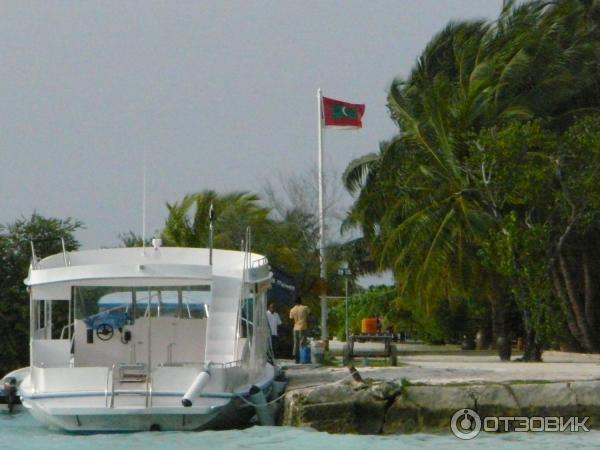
x,y
20,431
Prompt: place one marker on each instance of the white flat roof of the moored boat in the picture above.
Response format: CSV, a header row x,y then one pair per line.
x,y
53,276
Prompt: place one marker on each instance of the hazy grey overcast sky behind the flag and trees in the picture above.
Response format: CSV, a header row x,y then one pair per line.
x,y
220,94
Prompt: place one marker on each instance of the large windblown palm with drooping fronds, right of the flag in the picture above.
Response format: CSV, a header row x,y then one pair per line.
x,y
422,206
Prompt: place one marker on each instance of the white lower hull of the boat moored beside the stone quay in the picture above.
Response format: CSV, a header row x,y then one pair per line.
x,y
138,409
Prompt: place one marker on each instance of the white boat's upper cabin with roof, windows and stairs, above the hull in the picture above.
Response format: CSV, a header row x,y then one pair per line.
x,y
154,307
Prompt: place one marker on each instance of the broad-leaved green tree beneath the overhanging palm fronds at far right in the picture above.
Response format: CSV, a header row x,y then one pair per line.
x,y
543,181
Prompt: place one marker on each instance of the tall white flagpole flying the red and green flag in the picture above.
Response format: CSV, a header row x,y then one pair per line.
x,y
323,272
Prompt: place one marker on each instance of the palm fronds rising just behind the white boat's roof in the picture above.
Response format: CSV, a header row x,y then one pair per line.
x,y
290,242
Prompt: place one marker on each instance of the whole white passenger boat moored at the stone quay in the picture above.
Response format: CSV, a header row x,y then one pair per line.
x,y
159,338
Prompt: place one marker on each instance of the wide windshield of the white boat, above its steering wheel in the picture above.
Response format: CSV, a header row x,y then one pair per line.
x,y
122,305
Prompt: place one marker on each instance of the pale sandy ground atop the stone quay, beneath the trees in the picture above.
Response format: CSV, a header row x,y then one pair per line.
x,y
447,364
